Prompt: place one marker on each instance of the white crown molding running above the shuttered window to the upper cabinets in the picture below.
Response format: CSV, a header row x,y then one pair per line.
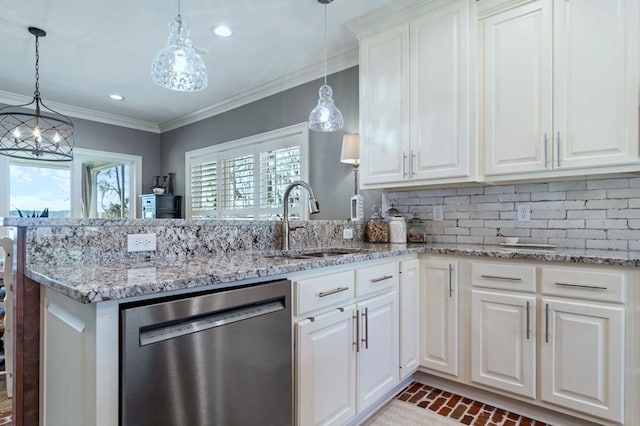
x,y
334,64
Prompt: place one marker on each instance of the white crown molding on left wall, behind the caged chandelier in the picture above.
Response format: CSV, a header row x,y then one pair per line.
x,y
83,113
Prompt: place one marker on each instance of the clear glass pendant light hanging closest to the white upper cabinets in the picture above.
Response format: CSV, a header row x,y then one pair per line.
x,y
325,117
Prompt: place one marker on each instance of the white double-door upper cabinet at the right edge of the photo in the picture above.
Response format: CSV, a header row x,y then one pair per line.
x,y
560,88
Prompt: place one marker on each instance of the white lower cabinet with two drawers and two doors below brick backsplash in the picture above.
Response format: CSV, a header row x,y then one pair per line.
x,y
572,317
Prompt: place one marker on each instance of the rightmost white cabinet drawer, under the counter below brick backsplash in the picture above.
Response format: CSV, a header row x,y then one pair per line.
x,y
584,283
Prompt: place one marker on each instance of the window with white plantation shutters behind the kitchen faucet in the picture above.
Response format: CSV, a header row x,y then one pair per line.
x,y
246,178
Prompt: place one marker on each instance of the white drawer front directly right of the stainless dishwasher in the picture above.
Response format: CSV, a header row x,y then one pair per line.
x,y
326,290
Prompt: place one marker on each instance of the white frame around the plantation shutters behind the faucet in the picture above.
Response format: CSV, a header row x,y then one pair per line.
x,y
296,135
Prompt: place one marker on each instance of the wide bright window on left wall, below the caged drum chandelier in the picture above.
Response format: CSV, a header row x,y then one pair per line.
x,y
95,184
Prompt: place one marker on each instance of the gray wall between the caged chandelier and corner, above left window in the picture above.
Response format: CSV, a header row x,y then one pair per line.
x,y
105,137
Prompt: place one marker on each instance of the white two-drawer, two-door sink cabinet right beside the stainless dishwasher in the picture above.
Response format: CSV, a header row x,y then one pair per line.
x,y
347,355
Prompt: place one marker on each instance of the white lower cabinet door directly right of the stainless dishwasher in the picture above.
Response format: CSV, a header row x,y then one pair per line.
x,y
326,369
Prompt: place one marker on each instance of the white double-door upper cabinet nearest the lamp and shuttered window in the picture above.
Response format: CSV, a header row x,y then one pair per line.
x,y
415,100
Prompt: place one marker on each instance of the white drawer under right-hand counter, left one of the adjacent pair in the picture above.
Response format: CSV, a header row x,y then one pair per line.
x,y
504,276
